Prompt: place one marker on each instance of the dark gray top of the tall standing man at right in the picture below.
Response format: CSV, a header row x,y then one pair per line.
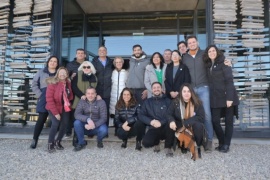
x,y
196,68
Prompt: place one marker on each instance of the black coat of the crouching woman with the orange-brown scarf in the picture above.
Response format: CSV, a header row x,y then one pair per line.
x,y
174,114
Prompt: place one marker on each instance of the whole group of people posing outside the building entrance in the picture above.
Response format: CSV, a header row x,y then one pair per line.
x,y
184,90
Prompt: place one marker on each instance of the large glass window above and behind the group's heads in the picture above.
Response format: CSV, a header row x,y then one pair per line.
x,y
154,32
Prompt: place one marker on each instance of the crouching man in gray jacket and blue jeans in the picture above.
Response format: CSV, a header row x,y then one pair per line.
x,y
91,117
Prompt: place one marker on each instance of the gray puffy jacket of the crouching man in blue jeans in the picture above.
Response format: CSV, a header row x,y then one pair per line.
x,y
97,109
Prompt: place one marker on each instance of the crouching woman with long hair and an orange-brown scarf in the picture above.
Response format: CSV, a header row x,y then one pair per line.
x,y
185,113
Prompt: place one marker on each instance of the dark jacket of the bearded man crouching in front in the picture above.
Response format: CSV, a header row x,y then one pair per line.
x,y
154,108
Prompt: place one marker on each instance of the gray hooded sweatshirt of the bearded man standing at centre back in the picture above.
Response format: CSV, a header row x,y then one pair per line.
x,y
136,72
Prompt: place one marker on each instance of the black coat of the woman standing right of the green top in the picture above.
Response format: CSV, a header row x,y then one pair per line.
x,y
182,76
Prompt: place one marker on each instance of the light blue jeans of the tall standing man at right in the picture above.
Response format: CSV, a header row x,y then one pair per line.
x,y
203,93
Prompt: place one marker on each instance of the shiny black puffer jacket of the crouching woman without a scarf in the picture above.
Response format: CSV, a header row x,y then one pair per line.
x,y
125,114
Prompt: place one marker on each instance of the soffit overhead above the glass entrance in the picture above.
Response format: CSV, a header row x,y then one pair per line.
x,y
125,6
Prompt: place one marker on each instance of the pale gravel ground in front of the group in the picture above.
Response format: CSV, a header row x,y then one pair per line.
x,y
247,159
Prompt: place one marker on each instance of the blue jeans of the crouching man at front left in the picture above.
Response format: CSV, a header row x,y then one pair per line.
x,y
80,130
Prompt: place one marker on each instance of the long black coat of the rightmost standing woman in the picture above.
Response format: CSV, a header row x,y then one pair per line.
x,y
221,84
